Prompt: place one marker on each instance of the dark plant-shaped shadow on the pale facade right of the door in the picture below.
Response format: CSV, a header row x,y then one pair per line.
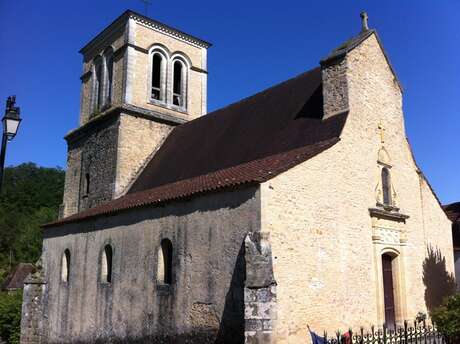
x,y
439,283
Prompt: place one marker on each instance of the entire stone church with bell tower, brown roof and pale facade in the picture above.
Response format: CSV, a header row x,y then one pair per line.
x,y
302,204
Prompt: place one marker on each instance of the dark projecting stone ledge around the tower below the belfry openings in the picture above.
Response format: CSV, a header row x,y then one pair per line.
x,y
117,110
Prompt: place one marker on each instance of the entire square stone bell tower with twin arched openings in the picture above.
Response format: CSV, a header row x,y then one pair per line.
x,y
140,79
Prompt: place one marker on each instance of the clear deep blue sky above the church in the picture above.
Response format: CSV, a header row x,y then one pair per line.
x,y
256,44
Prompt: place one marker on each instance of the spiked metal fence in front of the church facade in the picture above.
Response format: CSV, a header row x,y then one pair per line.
x,y
416,333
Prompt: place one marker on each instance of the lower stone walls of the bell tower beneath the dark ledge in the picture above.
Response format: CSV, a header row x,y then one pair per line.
x,y
113,153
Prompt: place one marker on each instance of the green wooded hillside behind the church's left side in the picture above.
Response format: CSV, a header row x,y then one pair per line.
x,y
30,197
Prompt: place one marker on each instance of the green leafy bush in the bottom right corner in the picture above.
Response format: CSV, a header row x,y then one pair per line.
x,y
447,318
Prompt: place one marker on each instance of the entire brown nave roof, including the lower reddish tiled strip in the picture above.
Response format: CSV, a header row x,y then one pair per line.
x,y
247,142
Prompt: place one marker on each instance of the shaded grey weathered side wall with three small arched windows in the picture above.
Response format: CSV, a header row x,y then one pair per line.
x,y
203,304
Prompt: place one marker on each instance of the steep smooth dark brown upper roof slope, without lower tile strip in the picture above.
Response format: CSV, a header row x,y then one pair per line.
x,y
284,117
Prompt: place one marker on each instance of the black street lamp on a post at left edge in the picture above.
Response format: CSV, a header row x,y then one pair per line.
x,y
10,123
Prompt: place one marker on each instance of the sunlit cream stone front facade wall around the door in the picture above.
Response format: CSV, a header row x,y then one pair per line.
x,y
325,260
